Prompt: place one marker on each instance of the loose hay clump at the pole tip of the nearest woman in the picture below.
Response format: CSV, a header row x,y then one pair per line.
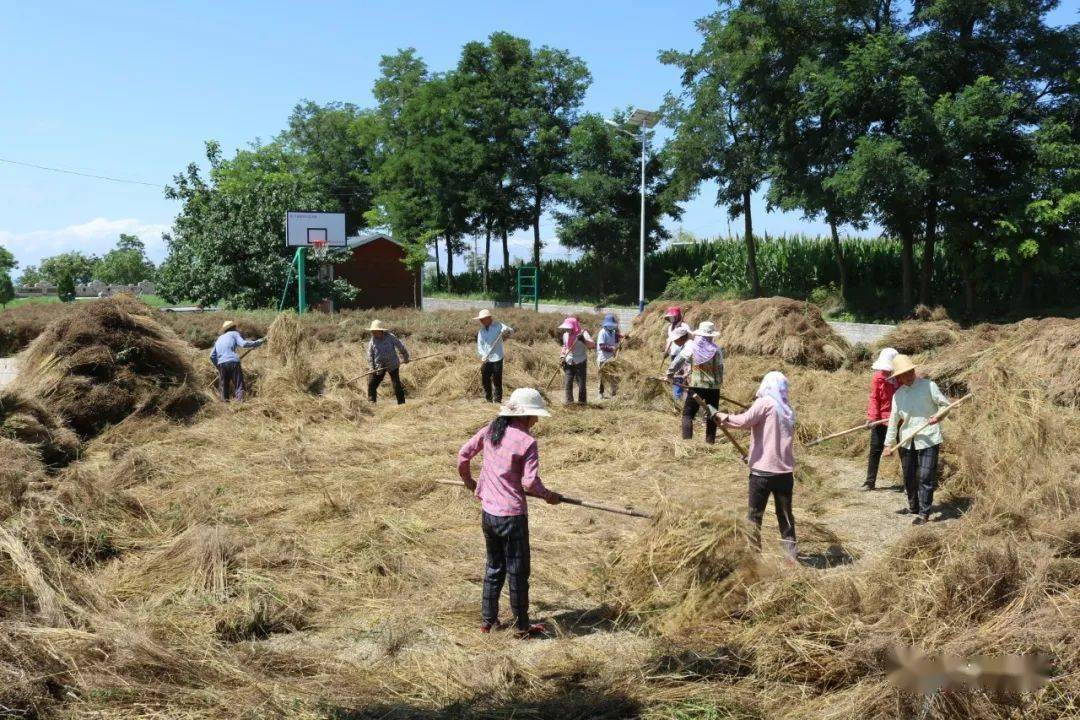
x,y
690,567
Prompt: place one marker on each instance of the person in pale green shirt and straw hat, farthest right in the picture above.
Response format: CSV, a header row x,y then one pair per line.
x,y
916,402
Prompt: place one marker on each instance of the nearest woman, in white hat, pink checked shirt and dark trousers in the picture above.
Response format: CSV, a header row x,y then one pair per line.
x,y
511,471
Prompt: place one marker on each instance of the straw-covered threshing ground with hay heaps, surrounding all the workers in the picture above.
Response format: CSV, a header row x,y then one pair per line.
x,y
292,556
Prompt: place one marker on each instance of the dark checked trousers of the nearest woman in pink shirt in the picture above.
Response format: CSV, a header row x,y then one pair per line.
x,y
507,540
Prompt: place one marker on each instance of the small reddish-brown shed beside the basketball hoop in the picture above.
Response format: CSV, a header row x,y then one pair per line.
x,y
377,270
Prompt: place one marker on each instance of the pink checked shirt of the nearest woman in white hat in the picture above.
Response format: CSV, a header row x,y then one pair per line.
x,y
510,470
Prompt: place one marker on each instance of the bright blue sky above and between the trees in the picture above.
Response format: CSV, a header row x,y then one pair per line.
x,y
132,90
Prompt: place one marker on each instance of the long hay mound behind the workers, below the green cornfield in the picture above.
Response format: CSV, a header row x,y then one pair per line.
x,y
780,328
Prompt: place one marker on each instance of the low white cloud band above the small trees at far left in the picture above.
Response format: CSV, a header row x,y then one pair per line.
x,y
94,237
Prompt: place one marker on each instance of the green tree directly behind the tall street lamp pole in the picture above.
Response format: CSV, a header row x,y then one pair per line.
x,y
602,196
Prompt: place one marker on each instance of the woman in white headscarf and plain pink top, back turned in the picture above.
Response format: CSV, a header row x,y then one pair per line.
x,y
772,423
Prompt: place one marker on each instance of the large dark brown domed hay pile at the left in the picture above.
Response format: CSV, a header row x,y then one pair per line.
x,y
109,360
